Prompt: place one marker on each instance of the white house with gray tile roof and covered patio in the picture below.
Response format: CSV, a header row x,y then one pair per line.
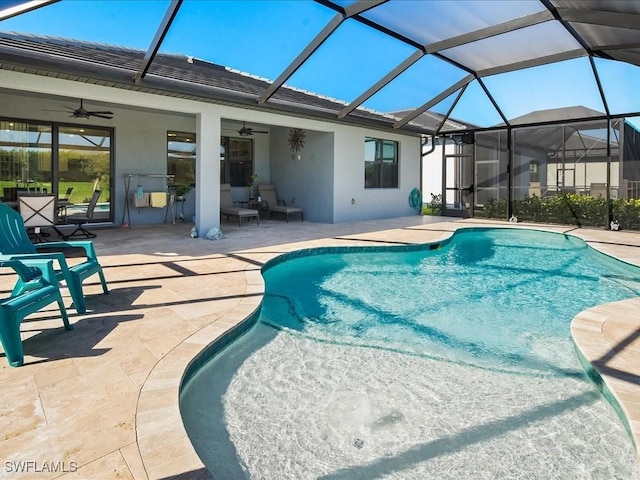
x,y
359,168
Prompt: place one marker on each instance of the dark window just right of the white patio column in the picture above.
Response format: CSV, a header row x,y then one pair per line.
x,y
236,161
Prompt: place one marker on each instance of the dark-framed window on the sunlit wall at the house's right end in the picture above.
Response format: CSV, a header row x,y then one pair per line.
x,y
380,163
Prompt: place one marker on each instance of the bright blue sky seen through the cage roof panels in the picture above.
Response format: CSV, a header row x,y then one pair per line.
x,y
263,37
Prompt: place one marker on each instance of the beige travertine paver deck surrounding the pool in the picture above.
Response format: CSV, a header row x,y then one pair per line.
x,y
101,401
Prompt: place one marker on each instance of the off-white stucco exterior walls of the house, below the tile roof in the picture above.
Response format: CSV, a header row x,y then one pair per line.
x,y
329,173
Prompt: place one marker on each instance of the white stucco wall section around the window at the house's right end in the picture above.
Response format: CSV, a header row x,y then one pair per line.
x,y
330,173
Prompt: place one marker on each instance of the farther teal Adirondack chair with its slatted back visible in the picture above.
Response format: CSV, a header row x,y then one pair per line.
x,y
15,244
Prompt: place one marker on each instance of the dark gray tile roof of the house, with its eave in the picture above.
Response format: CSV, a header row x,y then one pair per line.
x,y
169,74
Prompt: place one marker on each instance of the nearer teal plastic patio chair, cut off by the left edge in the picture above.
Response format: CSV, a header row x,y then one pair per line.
x,y
41,289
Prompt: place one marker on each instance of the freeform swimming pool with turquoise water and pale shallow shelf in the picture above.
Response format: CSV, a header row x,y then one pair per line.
x,y
447,361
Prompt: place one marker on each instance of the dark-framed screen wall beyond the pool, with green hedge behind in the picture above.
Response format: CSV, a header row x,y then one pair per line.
x,y
584,173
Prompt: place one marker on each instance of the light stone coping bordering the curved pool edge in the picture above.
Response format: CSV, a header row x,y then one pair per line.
x,y
601,335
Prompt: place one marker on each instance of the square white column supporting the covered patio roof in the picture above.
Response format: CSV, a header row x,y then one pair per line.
x,y
207,192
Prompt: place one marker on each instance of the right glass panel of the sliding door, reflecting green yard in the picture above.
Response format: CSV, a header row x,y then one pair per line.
x,y
84,165
